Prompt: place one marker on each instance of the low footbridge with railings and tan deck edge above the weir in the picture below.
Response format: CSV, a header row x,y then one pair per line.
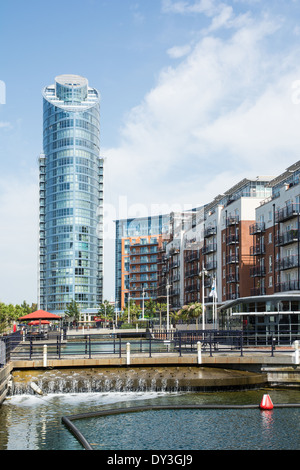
x,y
216,362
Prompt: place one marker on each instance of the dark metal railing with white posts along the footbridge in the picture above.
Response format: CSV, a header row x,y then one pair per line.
x,y
212,342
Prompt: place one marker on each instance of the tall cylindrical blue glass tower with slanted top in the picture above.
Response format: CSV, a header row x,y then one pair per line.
x,y
71,197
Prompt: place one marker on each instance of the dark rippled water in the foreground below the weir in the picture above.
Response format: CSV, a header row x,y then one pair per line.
x,y
29,422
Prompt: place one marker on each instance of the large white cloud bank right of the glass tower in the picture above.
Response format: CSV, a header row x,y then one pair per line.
x,y
225,109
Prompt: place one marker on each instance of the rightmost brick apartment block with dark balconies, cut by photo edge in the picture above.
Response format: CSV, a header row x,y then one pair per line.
x,y
276,243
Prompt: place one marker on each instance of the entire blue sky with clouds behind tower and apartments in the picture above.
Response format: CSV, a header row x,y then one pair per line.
x,y
196,95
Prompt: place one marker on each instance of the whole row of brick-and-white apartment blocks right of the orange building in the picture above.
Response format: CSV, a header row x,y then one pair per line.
x,y
247,242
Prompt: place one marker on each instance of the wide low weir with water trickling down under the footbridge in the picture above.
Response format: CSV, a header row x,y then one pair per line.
x,y
165,379
